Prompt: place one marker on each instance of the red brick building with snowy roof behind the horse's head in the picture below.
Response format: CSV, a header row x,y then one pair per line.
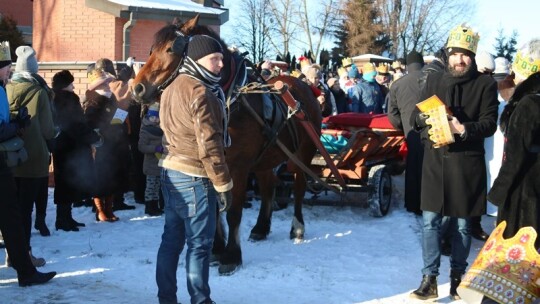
x,y
70,34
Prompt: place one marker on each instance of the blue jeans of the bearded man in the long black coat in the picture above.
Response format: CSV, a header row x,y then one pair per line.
x,y
459,231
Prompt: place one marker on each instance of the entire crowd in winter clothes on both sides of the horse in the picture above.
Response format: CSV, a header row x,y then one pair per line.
x,y
103,145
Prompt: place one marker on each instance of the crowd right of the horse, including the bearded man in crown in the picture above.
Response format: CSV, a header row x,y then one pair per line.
x,y
492,113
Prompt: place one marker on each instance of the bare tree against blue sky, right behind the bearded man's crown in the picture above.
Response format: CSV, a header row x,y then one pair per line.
x,y
421,25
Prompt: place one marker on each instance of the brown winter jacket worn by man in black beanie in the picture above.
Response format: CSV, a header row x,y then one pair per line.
x,y
191,120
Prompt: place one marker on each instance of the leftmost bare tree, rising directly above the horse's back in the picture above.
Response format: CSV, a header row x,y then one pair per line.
x,y
253,28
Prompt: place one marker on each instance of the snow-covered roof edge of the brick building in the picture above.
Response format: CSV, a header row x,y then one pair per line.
x,y
174,5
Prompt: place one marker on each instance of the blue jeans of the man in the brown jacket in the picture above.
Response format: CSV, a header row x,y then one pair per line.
x,y
190,218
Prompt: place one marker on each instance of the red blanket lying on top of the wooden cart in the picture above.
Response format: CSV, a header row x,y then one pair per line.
x,y
373,121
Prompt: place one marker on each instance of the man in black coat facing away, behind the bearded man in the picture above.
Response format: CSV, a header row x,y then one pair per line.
x,y
404,94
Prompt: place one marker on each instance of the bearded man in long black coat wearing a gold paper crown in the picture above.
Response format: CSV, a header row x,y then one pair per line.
x,y
454,176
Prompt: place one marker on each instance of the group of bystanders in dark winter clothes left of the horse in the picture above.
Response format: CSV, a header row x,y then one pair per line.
x,y
92,144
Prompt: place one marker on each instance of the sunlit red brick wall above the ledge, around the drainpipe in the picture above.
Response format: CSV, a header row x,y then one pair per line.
x,y
66,30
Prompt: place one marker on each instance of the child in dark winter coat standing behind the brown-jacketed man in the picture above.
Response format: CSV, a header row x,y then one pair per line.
x,y
150,145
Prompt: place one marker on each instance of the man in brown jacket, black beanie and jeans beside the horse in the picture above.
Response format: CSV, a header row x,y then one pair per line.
x,y
194,172
